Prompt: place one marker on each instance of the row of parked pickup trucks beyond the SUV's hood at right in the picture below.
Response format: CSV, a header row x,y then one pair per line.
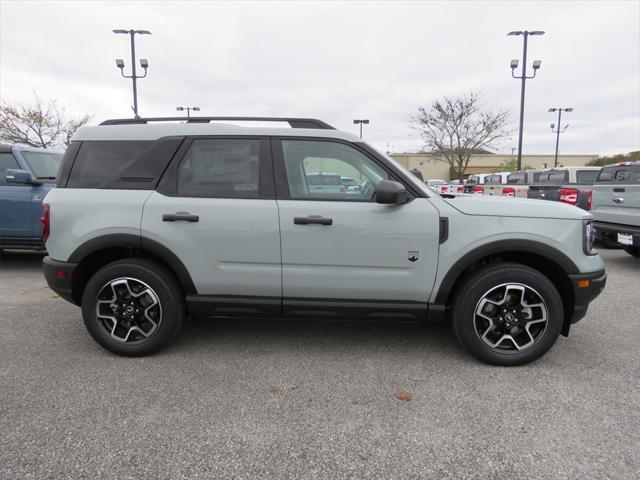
x,y
611,194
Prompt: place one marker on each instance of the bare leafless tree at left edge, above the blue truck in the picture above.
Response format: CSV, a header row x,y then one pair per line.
x,y
38,125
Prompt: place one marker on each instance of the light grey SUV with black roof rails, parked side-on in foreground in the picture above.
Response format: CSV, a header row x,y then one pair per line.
x,y
152,222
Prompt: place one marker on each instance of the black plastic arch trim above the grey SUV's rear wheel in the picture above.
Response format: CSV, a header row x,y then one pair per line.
x,y
136,243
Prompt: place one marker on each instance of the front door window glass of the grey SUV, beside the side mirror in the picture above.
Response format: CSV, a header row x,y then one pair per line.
x,y
317,169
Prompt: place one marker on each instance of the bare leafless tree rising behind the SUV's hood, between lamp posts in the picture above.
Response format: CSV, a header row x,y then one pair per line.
x,y
454,128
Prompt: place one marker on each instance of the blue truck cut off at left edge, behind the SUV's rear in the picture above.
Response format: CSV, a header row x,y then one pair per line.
x,y
26,176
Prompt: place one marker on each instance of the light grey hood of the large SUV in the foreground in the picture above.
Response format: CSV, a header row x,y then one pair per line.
x,y
514,207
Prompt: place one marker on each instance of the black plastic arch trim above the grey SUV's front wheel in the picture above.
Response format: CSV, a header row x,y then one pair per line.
x,y
501,246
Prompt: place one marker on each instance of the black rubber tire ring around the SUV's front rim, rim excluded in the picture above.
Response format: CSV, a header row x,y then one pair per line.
x,y
484,280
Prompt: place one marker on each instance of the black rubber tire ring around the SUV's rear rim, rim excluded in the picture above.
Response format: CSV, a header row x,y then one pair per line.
x,y
164,285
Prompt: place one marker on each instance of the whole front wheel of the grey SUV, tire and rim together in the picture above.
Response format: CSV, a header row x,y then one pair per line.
x,y
483,291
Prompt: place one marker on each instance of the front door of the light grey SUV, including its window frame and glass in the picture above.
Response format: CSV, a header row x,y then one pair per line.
x,y
343,252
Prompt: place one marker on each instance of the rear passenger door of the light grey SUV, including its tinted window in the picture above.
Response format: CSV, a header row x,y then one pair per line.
x,y
216,211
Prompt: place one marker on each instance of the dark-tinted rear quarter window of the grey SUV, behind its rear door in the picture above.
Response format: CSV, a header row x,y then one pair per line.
x,y
98,161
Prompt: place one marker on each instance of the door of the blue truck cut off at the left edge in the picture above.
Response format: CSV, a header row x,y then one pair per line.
x,y
15,203
